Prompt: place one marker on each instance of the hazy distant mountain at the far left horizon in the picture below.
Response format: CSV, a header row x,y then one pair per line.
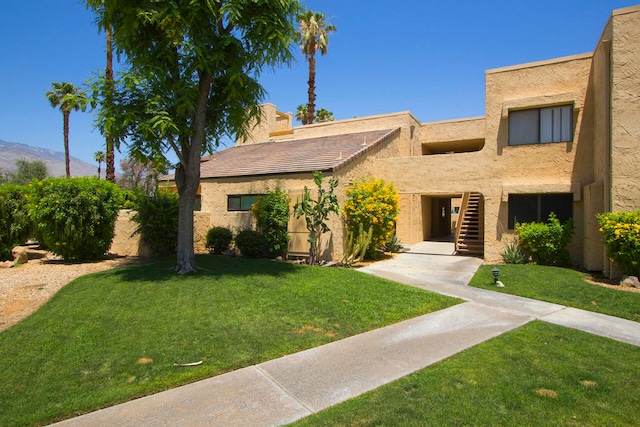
x,y
12,151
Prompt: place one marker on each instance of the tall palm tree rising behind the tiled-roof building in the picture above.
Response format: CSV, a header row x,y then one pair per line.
x,y
314,37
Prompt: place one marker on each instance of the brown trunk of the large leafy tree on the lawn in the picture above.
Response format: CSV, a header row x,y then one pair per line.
x,y
188,179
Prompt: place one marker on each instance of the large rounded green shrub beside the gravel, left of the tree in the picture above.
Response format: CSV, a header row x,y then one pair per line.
x,y
75,217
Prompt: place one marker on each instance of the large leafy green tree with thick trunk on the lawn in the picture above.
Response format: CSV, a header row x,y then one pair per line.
x,y
190,80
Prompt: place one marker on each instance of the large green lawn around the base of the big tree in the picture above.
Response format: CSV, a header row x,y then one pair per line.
x,y
115,335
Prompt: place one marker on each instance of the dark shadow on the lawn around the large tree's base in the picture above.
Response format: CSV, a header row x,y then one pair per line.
x,y
211,266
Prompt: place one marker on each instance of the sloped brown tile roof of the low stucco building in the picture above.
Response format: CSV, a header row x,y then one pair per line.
x,y
326,153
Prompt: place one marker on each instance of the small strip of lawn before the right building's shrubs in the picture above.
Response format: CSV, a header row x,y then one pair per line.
x,y
561,286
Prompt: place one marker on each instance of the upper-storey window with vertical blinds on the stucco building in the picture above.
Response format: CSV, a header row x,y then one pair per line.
x,y
541,125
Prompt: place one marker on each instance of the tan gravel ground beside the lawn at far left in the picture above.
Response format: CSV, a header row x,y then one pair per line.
x,y
26,288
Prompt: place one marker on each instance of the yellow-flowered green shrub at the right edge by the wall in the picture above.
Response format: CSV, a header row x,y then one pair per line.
x,y
621,236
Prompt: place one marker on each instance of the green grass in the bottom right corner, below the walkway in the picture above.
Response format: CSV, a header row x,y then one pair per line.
x,y
540,374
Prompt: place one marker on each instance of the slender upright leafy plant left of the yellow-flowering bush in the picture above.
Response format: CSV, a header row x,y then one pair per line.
x,y
317,211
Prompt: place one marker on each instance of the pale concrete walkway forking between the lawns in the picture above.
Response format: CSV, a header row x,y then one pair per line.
x,y
283,390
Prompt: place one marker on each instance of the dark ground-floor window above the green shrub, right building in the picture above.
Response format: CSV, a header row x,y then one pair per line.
x,y
537,207
